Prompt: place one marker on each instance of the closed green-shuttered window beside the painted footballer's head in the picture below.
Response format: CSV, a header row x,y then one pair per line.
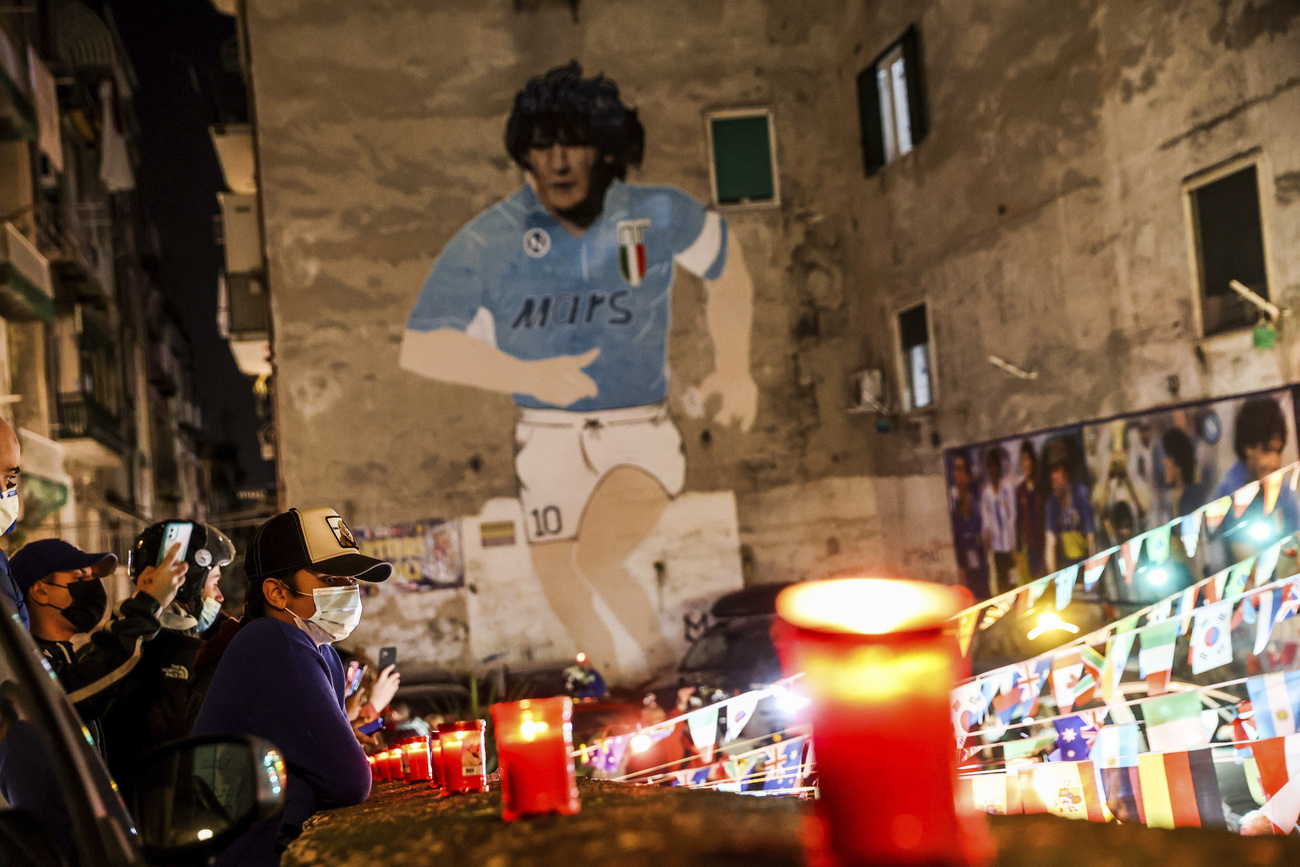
x,y
744,162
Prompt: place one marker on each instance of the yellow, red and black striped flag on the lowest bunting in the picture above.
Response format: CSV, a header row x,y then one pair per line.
x,y
1180,790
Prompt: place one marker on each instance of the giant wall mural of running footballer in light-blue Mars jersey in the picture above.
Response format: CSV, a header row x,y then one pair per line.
x,y
561,296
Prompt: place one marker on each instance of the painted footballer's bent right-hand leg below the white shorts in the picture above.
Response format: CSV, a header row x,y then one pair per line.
x,y
619,517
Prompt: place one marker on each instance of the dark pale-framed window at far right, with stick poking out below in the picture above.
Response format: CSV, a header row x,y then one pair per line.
x,y
1228,242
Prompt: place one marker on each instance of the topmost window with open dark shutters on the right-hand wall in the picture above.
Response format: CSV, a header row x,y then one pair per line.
x,y
891,103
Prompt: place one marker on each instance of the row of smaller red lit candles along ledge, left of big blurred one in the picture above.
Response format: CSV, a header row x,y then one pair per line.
x,y
535,739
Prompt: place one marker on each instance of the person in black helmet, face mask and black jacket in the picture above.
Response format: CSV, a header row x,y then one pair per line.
x,y
154,705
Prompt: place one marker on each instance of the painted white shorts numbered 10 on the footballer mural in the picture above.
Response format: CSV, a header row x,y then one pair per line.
x,y
561,458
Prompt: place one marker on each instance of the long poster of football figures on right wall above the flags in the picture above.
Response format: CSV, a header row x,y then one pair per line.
x,y
1024,508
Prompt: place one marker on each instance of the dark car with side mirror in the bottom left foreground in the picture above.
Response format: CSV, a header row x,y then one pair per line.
x,y
194,796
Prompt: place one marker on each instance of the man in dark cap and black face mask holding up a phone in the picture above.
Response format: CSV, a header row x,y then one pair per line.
x,y
66,597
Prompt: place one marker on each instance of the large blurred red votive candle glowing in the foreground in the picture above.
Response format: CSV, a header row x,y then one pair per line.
x,y
878,669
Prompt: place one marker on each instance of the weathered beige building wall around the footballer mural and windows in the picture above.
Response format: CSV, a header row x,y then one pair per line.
x,y
1042,220
